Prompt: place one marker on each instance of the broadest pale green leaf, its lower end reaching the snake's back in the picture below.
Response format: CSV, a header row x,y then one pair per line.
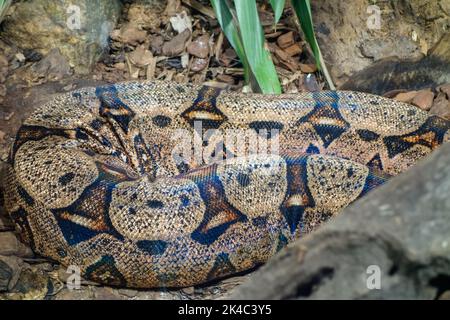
x,y
258,56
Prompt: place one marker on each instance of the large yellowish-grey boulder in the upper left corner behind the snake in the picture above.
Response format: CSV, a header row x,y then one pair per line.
x,y
79,29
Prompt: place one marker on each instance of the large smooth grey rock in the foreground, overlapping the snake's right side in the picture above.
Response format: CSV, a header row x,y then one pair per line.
x,y
397,234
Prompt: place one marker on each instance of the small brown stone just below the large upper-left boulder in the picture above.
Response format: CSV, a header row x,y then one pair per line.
x,y
53,67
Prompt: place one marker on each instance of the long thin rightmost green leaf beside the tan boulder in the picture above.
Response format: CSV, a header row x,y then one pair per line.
x,y
302,9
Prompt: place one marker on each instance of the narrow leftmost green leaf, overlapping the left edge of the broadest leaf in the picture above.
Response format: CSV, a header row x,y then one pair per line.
x,y
229,28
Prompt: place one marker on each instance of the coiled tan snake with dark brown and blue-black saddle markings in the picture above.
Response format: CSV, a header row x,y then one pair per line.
x,y
96,178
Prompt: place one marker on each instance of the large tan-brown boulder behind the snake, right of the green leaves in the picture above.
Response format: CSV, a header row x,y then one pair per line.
x,y
351,38
